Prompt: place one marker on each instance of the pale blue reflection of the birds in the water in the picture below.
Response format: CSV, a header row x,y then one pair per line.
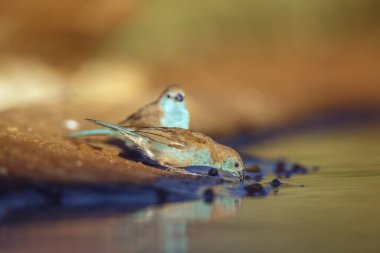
x,y
173,219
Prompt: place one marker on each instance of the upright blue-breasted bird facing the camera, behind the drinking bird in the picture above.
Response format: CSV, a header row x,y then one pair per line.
x,y
169,110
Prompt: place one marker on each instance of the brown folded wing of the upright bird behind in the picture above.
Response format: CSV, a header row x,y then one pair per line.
x,y
147,116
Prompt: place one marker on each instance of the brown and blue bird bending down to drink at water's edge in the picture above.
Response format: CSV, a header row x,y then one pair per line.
x,y
178,148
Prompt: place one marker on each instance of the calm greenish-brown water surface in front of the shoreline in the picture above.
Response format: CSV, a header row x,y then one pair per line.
x,y
336,211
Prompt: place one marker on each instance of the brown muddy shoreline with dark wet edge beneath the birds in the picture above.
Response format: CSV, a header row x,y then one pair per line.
x,y
47,175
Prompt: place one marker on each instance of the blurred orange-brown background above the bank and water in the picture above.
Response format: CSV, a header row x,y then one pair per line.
x,y
252,64
